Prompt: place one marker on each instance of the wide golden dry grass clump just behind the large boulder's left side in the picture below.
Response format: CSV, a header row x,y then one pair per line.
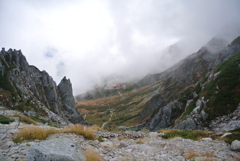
x,y
31,132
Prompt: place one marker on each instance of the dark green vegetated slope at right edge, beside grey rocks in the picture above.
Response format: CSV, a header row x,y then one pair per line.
x,y
223,92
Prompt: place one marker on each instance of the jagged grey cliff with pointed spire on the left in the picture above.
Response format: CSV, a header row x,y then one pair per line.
x,y
33,92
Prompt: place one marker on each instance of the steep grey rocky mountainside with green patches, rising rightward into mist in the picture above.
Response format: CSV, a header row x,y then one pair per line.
x,y
209,89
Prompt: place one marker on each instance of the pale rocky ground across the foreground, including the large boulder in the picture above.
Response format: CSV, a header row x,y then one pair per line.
x,y
138,146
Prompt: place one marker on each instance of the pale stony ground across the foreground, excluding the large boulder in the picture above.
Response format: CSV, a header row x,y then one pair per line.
x,y
123,146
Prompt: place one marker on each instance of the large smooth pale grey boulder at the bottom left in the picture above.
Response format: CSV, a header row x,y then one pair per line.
x,y
55,150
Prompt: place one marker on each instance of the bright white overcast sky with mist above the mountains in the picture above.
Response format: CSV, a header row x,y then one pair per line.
x,y
89,40
